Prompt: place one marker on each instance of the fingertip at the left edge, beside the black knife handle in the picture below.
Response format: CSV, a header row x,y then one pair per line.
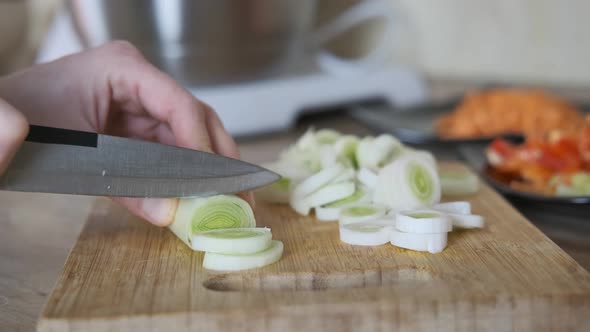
x,y
13,130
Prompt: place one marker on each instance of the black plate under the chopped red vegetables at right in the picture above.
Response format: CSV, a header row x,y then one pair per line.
x,y
500,184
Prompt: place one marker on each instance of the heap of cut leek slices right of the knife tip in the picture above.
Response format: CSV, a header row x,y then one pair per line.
x,y
378,189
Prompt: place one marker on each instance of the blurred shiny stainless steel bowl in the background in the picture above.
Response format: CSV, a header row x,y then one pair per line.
x,y
202,42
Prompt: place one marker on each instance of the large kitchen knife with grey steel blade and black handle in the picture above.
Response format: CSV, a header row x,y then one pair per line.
x,y
55,160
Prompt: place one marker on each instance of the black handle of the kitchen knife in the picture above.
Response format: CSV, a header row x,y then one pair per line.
x,y
49,135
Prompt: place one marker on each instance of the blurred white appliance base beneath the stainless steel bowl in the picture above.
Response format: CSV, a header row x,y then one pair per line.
x,y
273,104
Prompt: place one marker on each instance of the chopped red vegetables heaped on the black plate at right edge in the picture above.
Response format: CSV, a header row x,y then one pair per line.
x,y
554,164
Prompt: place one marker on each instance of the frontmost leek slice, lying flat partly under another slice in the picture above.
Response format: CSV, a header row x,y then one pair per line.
x,y
225,262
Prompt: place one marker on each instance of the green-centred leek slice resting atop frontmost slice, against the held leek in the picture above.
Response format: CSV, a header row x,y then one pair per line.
x,y
233,240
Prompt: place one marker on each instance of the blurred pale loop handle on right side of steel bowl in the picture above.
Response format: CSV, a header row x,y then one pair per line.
x,y
378,56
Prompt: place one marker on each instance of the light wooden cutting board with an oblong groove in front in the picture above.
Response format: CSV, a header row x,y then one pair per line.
x,y
125,275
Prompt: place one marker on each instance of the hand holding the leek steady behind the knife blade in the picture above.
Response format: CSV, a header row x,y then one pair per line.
x,y
114,90
